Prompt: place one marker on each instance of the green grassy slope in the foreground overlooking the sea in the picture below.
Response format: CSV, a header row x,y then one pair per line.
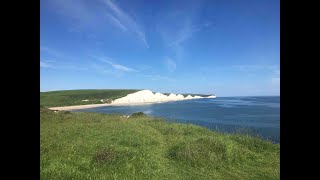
x,y
98,146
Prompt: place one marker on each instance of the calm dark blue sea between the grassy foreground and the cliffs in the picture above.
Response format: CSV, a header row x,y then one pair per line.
x,y
254,115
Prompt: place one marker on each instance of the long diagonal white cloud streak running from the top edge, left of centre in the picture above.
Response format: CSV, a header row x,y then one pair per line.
x,y
124,21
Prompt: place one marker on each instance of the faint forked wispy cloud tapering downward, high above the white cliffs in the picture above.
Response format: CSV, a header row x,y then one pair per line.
x,y
176,28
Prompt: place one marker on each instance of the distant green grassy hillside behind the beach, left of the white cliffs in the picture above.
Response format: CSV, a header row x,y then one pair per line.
x,y
75,97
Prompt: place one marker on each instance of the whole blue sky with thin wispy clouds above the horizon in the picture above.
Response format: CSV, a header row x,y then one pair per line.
x,y
227,48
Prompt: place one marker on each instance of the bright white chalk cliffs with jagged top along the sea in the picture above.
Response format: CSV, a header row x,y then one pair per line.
x,y
147,96
